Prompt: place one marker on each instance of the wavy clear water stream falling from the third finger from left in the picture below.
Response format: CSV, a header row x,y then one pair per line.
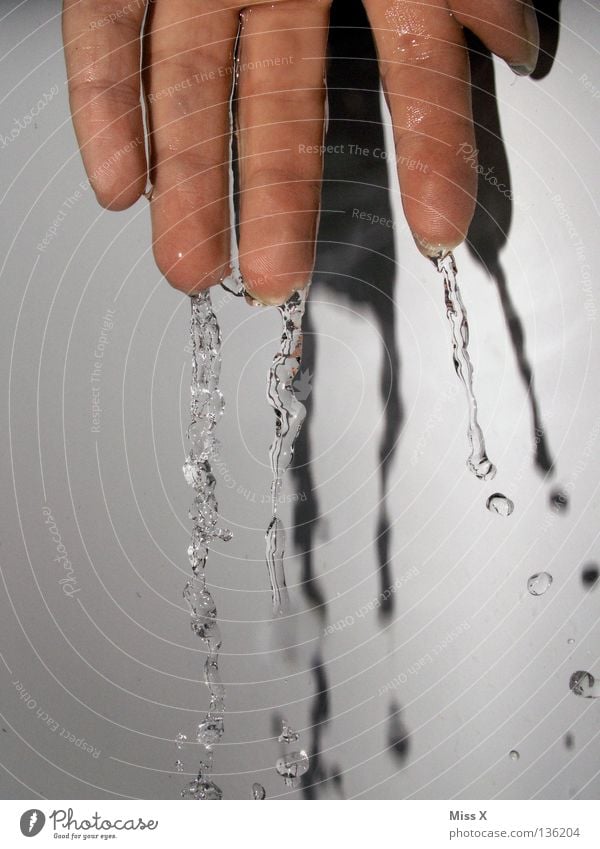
x,y
289,417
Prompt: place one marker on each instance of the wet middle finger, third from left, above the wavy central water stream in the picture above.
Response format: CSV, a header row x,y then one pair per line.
x,y
281,119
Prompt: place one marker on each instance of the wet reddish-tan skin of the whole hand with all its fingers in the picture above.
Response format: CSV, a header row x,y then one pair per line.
x,y
188,50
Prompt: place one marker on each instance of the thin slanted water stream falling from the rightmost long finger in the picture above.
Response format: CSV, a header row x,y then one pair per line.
x,y
478,462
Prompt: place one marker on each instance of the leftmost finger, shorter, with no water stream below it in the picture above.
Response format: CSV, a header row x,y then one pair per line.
x,y
102,50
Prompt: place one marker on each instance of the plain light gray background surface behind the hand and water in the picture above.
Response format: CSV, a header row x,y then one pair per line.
x,y
116,663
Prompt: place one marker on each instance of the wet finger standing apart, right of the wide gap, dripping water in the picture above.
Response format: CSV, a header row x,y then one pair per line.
x,y
425,70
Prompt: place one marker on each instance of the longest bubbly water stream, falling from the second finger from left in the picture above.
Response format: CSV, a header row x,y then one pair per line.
x,y
206,408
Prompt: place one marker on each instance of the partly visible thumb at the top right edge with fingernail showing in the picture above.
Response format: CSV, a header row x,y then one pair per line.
x,y
508,28
